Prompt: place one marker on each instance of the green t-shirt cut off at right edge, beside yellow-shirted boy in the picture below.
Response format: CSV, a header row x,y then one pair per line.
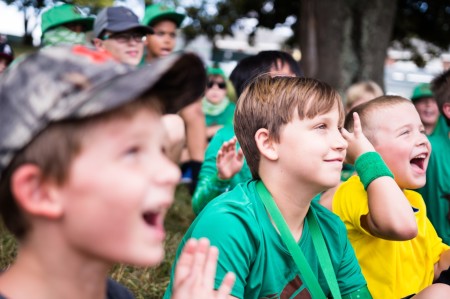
x,y
437,188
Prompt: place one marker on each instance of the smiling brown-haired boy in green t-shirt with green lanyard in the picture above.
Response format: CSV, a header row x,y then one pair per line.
x,y
289,131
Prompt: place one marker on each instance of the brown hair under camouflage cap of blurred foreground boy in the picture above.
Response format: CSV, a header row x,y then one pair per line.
x,y
53,151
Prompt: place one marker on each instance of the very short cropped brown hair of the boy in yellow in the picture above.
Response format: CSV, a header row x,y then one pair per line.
x,y
367,110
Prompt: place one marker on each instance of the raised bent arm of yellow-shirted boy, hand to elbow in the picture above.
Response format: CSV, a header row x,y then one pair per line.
x,y
390,214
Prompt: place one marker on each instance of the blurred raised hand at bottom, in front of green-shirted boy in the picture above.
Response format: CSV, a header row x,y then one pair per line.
x,y
196,270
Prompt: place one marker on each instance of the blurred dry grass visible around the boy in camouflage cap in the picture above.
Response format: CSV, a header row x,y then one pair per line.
x,y
144,283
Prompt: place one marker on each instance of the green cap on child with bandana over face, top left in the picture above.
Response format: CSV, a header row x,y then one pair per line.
x,y
65,14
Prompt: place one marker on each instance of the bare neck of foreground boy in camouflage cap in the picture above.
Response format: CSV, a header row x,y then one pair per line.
x,y
52,273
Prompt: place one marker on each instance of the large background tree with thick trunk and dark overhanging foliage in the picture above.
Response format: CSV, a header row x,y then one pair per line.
x,y
342,41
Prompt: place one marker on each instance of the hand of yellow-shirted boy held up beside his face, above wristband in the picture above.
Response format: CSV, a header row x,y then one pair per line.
x,y
358,143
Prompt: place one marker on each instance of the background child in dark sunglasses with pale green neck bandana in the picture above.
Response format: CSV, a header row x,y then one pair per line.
x,y
218,108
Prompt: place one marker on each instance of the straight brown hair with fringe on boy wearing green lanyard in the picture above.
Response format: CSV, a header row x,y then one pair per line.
x,y
271,102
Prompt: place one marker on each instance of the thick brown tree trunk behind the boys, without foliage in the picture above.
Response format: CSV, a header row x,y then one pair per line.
x,y
345,41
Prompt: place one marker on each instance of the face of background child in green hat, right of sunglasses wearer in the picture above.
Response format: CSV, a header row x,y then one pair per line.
x,y
162,42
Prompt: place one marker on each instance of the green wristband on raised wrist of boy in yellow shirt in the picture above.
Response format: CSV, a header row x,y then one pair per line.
x,y
370,166
